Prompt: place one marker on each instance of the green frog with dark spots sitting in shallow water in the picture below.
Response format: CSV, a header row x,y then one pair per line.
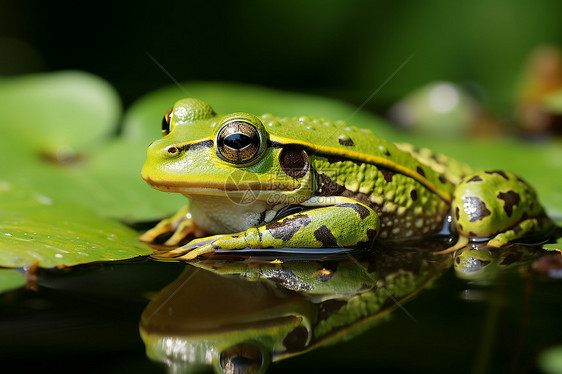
x,y
268,182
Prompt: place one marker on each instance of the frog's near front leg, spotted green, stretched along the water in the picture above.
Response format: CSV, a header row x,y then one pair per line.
x,y
330,222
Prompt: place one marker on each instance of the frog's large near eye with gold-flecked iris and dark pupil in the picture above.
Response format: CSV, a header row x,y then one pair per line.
x,y
238,142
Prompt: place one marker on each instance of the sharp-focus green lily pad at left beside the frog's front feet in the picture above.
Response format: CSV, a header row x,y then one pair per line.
x,y
38,228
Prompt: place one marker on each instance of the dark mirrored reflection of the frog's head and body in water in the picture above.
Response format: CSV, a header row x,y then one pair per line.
x,y
239,316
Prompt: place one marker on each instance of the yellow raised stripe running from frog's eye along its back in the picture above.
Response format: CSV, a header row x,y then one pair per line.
x,y
351,155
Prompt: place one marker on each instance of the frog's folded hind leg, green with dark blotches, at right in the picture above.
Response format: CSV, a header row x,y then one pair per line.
x,y
500,206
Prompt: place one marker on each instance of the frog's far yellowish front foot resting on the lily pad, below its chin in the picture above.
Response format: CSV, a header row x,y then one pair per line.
x,y
180,225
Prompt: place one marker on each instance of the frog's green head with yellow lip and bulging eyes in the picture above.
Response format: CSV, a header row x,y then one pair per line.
x,y
205,153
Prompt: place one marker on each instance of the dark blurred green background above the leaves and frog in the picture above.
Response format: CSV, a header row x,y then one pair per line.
x,y
341,49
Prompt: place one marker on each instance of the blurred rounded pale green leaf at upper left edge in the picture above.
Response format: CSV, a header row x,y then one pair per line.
x,y
63,112
